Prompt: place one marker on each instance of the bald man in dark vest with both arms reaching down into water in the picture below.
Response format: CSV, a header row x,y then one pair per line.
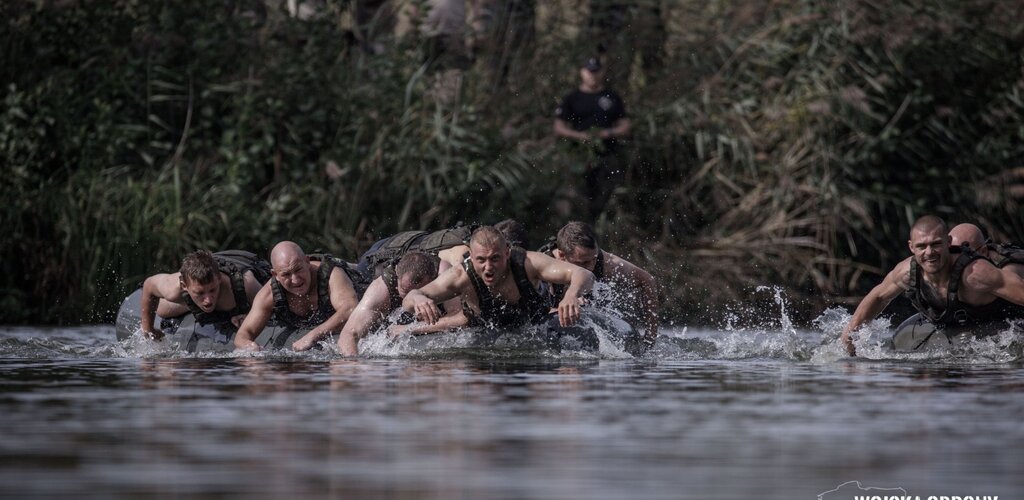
x,y
303,294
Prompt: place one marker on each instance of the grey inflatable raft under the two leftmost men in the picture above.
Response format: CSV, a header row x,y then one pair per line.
x,y
187,335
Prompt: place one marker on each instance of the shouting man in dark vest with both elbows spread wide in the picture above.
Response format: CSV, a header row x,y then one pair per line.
x,y
498,285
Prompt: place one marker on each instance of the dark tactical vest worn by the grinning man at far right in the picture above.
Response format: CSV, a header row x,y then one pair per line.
x,y
954,312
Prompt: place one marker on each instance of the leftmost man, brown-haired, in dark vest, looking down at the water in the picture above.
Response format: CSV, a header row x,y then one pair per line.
x,y
215,287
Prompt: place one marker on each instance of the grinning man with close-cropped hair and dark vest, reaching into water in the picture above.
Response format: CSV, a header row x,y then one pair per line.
x,y
946,289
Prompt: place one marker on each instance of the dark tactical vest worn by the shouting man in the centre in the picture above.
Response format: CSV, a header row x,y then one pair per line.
x,y
532,308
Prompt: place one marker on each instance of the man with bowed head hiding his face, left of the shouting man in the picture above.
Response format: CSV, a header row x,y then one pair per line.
x,y
386,295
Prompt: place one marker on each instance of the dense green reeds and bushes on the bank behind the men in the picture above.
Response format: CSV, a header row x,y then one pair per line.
x,y
789,144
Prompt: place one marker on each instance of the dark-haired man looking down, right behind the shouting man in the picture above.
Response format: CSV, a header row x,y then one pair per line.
x,y
577,244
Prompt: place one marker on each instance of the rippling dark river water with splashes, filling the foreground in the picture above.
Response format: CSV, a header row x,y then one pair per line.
x,y
736,412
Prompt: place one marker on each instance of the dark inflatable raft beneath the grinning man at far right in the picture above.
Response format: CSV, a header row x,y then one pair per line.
x,y
917,334
